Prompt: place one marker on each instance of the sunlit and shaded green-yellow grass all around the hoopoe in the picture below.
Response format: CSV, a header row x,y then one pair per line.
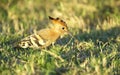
x,y
95,48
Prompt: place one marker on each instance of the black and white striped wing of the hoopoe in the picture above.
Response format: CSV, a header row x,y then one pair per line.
x,y
32,41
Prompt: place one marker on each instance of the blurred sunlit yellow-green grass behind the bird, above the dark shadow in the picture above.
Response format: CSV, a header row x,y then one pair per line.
x,y
18,16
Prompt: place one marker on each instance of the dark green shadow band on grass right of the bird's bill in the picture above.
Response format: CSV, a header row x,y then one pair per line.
x,y
94,36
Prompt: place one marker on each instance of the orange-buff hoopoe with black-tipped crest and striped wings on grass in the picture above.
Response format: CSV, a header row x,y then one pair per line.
x,y
45,37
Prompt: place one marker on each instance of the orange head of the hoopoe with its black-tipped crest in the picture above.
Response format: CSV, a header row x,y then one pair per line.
x,y
59,25
